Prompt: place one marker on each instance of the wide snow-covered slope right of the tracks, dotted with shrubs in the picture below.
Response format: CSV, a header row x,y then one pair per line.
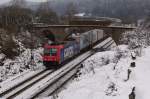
x,y
103,77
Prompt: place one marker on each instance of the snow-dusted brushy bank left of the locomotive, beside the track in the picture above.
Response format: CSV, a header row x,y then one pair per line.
x,y
22,63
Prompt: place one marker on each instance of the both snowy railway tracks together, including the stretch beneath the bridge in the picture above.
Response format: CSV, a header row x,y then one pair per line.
x,y
46,82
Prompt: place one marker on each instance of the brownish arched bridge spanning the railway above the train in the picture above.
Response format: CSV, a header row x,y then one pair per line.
x,y
59,32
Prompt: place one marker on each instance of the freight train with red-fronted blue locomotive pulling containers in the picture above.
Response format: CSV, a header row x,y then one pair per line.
x,y
56,54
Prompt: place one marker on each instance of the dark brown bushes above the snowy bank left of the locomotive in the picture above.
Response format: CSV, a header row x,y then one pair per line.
x,y
12,45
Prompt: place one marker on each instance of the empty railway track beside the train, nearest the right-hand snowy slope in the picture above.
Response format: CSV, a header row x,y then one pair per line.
x,y
60,80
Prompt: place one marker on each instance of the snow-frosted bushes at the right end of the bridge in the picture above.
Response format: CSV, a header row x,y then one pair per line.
x,y
138,38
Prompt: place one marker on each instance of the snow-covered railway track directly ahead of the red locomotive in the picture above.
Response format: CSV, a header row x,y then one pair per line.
x,y
23,85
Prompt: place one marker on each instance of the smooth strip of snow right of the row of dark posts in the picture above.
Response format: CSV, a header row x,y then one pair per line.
x,y
141,76
